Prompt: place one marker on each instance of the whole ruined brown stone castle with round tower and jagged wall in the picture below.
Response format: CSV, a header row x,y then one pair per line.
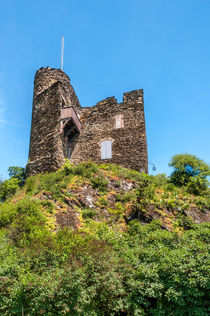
x,y
107,132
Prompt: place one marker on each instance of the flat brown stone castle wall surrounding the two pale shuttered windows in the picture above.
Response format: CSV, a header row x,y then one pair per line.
x,y
129,146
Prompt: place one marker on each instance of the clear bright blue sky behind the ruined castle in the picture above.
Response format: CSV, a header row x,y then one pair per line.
x,y
111,46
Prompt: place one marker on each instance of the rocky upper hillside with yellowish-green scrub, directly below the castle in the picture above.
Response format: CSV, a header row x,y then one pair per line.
x,y
89,194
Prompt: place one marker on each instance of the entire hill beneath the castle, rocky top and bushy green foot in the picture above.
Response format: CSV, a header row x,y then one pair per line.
x,y
73,243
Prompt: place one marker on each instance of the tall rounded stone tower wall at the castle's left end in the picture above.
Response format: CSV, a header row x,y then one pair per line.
x,y
52,91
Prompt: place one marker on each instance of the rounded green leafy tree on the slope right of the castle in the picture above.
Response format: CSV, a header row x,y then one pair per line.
x,y
187,168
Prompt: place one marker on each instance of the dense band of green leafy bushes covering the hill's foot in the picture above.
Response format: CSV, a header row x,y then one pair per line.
x,y
146,271
